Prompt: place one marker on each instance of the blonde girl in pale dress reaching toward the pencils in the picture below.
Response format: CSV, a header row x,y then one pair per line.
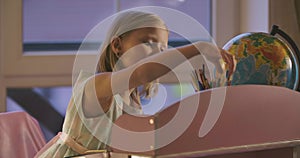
x,y
128,68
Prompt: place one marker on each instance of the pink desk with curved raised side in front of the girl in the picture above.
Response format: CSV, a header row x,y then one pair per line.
x,y
255,121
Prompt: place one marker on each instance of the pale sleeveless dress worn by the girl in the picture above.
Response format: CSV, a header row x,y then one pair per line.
x,y
91,133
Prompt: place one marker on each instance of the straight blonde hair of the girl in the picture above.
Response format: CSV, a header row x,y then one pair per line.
x,y
124,23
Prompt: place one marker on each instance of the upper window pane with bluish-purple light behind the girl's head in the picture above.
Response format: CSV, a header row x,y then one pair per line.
x,y
60,26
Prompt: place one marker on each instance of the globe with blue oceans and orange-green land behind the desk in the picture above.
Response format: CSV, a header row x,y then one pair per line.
x,y
263,59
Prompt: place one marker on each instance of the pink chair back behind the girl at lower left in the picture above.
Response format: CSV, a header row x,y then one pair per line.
x,y
20,135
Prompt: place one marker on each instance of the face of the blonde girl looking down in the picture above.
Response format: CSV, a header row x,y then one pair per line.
x,y
141,43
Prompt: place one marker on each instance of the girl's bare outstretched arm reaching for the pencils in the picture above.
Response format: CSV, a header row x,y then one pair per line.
x,y
146,70
